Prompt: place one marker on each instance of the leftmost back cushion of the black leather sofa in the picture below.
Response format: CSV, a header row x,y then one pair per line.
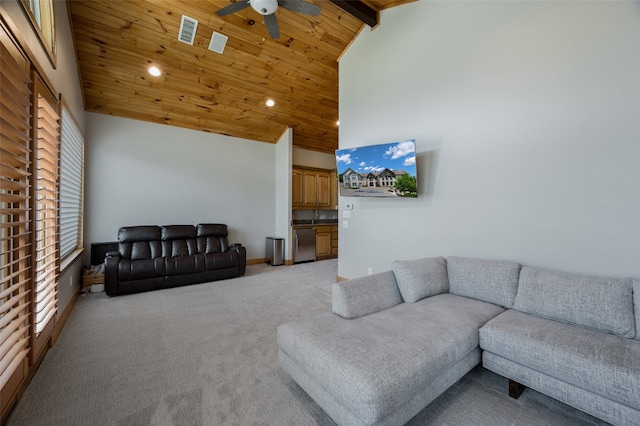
x,y
139,242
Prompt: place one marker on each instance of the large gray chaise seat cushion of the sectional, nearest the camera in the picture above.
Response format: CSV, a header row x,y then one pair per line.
x,y
375,363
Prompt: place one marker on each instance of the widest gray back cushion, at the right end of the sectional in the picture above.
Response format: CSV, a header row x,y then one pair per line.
x,y
603,304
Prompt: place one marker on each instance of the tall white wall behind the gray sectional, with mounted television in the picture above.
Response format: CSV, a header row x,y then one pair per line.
x,y
525,116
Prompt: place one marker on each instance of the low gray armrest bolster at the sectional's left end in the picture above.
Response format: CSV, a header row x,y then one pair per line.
x,y
365,295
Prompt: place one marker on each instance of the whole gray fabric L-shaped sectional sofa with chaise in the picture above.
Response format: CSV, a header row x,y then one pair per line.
x,y
397,339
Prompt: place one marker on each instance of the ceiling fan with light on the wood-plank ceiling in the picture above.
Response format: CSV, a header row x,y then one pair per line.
x,y
267,8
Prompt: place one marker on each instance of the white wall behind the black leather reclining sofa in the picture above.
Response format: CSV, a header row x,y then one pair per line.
x,y
140,173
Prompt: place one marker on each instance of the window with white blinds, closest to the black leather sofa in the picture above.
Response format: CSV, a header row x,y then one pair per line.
x,y
71,161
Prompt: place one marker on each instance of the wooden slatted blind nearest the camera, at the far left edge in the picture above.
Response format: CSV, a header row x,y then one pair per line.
x,y
15,239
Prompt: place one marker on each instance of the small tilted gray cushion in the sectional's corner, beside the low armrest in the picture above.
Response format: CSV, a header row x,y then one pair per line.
x,y
421,278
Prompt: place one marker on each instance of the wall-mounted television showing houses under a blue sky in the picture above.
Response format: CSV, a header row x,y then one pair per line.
x,y
384,170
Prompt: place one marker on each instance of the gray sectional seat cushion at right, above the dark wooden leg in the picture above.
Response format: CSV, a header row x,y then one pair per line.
x,y
602,363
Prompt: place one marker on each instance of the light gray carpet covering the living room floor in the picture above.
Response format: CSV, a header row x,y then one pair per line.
x,y
206,355
